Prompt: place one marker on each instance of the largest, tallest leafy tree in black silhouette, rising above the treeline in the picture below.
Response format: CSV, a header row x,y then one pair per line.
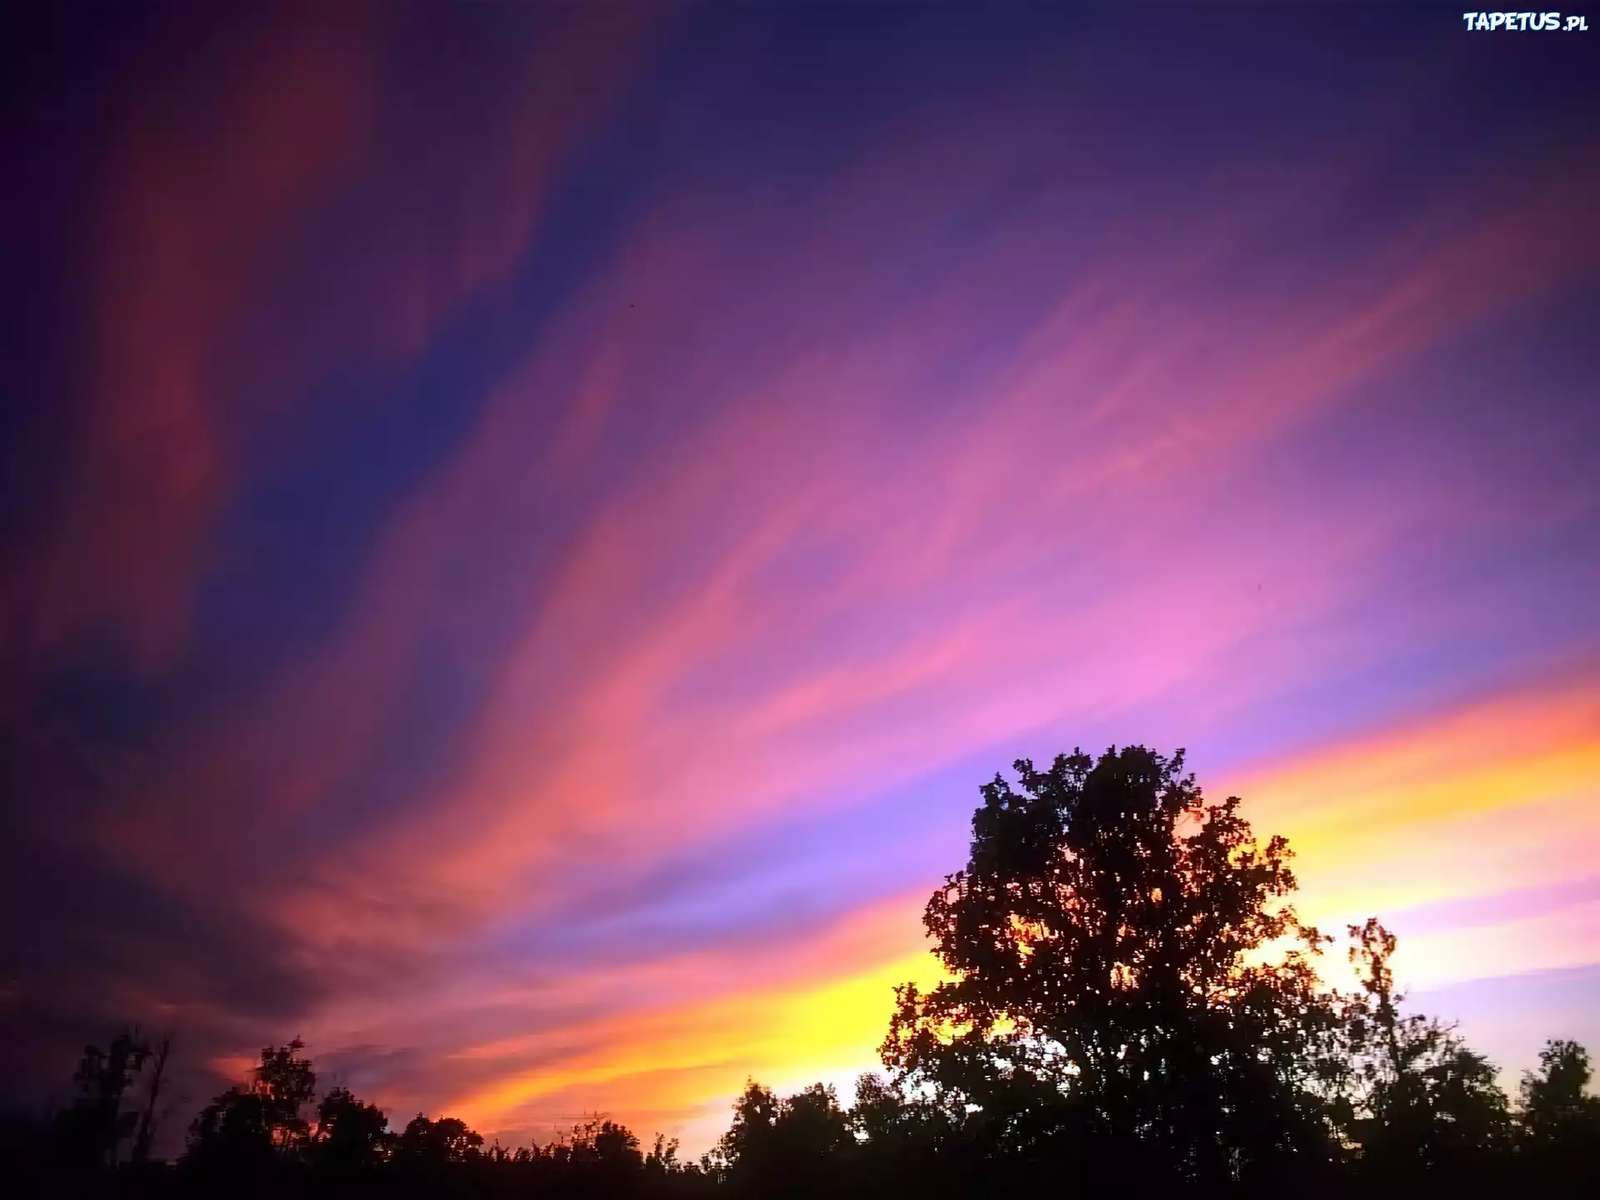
x,y
1127,975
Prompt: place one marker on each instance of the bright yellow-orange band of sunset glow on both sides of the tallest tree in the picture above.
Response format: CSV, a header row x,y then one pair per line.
x,y
1372,823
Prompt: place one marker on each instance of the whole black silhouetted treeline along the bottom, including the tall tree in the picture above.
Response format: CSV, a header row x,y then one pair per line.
x,y
1130,1004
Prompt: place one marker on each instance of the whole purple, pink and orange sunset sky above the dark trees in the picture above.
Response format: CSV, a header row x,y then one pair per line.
x,y
527,526
